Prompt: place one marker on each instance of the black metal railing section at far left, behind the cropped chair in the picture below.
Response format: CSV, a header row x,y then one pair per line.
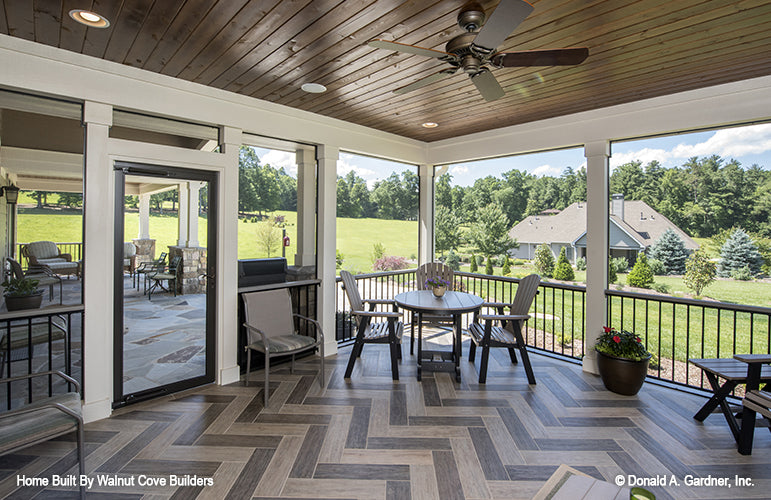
x,y
33,341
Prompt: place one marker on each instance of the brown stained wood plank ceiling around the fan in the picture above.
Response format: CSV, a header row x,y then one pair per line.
x,y
268,48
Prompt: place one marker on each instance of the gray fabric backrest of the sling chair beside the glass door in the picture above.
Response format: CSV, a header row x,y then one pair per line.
x,y
270,311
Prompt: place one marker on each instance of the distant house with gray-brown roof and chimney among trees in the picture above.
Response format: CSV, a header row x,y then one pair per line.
x,y
634,226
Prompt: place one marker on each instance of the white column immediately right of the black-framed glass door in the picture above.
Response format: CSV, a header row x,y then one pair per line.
x,y
227,371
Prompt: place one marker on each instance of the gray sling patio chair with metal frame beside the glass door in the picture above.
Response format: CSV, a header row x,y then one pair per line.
x,y
271,330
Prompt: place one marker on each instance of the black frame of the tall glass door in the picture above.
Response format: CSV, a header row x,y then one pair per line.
x,y
123,168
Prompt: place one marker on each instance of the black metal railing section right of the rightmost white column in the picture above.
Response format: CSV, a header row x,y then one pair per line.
x,y
675,330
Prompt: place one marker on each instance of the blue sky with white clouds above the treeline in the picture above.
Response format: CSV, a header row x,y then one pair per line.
x,y
749,145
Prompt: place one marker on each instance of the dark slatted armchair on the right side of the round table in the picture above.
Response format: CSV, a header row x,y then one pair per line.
x,y
509,334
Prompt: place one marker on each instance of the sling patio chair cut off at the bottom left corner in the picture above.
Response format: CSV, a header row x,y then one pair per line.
x,y
44,419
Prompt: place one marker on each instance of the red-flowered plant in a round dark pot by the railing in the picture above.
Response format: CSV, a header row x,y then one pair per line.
x,y
622,360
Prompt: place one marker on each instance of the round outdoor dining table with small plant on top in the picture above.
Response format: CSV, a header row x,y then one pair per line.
x,y
454,304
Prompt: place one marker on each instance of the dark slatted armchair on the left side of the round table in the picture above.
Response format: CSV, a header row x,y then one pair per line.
x,y
387,332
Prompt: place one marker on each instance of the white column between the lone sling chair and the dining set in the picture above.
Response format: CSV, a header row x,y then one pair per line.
x,y
327,243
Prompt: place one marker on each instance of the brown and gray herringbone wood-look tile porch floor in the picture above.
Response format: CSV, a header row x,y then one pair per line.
x,y
371,438
